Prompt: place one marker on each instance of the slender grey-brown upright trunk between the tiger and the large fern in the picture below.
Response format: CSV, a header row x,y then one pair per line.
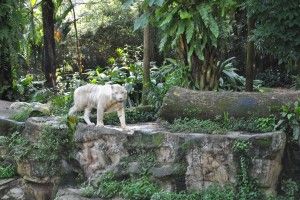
x,y
146,65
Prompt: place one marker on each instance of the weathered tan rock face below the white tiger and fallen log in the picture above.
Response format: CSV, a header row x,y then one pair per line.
x,y
177,160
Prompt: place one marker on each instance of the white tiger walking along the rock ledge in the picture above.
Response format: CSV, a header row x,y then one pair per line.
x,y
105,98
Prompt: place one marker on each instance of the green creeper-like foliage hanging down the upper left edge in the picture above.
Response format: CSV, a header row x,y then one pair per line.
x,y
11,18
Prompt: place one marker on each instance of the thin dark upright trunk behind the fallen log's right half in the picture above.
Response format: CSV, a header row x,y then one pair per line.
x,y
250,56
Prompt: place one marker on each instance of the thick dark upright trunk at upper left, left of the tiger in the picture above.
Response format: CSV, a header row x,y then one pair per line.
x,y
49,42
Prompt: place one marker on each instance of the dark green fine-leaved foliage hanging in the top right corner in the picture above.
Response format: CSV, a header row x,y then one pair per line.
x,y
277,25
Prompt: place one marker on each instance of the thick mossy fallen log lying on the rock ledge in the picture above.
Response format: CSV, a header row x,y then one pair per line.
x,y
180,103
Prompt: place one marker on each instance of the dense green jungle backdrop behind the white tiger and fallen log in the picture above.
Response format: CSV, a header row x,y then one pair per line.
x,y
48,48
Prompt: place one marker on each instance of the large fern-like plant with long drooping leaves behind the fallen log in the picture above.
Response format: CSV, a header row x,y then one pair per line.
x,y
196,40
